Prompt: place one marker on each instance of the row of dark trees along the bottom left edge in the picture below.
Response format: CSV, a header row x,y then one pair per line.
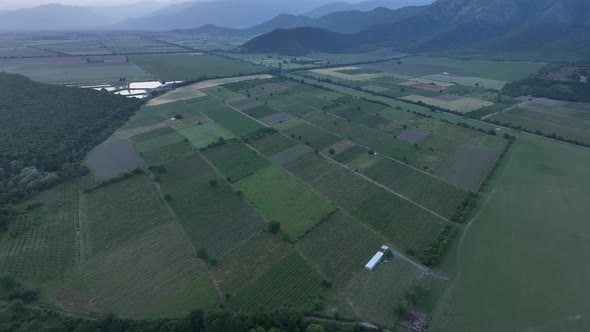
x,y
29,317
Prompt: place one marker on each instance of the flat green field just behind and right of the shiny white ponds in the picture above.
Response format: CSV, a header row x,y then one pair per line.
x,y
179,67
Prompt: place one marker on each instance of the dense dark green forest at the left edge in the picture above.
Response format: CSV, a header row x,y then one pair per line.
x,y
47,130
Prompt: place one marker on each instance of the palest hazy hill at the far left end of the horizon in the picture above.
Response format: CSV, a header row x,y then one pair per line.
x,y
52,17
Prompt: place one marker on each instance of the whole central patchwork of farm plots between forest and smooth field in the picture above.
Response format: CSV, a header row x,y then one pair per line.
x,y
265,192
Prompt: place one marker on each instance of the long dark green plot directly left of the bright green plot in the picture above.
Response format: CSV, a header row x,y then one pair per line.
x,y
195,192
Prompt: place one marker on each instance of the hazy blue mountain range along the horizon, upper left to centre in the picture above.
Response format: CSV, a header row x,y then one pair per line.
x,y
154,15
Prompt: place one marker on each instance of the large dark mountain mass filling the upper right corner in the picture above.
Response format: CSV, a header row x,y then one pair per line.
x,y
485,26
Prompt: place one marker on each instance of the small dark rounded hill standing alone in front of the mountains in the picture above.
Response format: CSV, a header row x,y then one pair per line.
x,y
300,41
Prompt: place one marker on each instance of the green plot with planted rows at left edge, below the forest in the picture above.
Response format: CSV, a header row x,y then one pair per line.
x,y
43,242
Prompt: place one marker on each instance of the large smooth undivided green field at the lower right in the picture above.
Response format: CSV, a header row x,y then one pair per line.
x,y
511,260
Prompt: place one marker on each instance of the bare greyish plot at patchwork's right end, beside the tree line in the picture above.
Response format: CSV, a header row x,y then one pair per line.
x,y
468,167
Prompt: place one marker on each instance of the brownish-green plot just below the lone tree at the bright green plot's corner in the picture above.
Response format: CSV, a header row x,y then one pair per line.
x,y
238,270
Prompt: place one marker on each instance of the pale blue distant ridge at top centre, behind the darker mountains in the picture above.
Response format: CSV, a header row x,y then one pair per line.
x,y
363,6
